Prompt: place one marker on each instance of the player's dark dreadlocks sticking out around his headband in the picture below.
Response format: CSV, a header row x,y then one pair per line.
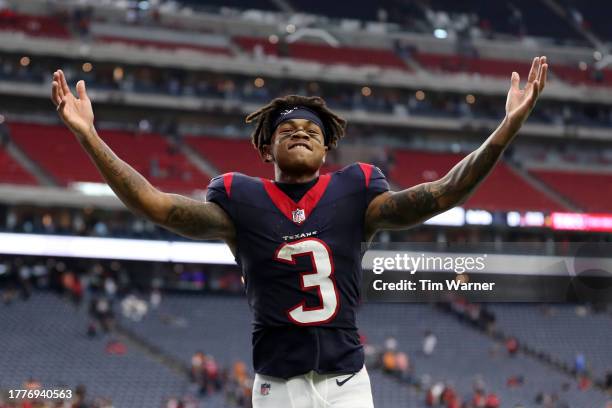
x,y
262,135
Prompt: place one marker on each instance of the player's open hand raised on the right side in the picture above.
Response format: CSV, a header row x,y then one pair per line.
x,y
520,102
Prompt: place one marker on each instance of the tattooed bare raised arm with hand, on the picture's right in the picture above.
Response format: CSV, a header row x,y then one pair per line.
x,y
403,209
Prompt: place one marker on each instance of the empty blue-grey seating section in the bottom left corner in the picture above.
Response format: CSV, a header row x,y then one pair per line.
x,y
47,342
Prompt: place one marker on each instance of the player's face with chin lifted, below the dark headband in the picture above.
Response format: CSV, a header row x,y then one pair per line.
x,y
297,147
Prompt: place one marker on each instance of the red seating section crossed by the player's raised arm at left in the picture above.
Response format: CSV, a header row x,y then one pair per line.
x,y
56,150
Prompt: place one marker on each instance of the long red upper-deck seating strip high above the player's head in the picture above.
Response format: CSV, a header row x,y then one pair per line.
x,y
325,54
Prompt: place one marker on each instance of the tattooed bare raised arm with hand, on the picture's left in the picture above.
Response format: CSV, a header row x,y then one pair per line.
x,y
182,215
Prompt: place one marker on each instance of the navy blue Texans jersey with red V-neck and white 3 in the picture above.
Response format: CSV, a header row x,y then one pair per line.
x,y
301,262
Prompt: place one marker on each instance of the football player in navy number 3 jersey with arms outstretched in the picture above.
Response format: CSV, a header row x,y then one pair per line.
x,y
298,238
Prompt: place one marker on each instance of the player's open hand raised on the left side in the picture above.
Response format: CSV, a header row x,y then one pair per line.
x,y
77,114
